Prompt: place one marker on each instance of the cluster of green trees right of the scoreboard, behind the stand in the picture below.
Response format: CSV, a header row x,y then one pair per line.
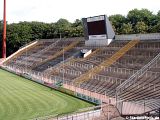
x,y
136,21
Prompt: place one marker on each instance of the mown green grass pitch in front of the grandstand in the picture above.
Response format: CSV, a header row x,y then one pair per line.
x,y
21,99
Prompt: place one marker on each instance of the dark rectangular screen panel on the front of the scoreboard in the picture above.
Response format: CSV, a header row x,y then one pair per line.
x,y
96,27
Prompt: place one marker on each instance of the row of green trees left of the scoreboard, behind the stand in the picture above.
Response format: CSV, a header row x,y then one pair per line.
x,y
21,33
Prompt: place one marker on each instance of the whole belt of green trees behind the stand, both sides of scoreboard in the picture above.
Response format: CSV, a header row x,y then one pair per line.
x,y
136,21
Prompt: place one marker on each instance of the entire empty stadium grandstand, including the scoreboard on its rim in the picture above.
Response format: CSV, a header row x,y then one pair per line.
x,y
119,73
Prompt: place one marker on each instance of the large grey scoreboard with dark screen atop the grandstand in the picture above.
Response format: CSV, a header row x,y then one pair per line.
x,y
97,27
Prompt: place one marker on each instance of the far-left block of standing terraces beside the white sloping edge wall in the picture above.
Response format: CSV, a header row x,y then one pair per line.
x,y
30,56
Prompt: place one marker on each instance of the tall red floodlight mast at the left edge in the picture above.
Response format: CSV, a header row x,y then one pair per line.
x,y
4,32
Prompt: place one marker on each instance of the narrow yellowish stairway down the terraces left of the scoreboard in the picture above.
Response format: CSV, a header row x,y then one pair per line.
x,y
73,44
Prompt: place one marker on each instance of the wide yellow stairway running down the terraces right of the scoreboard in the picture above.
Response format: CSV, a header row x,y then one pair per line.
x,y
106,63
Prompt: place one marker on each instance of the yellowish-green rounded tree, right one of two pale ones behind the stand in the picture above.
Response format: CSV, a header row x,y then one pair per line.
x,y
141,27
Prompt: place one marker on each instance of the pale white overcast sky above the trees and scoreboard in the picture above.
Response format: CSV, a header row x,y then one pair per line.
x,y
52,10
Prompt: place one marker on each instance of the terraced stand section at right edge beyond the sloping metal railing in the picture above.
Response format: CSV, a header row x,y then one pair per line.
x,y
143,87
